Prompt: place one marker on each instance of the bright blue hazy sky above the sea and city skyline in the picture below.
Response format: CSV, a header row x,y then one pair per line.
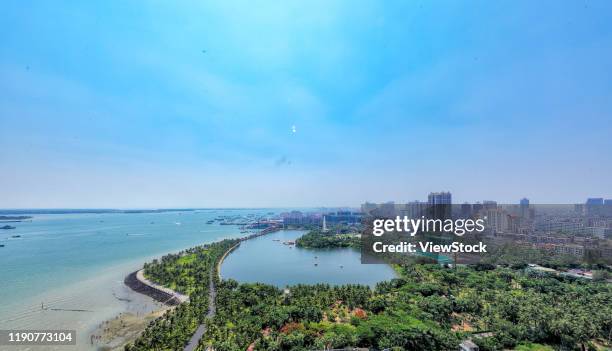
x,y
172,104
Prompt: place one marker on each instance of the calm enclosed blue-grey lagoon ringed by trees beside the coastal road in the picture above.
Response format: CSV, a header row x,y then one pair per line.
x,y
268,261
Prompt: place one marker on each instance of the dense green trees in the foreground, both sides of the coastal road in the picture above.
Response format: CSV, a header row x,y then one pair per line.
x,y
428,307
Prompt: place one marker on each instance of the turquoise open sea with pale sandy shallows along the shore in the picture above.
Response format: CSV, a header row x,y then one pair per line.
x,y
79,261
